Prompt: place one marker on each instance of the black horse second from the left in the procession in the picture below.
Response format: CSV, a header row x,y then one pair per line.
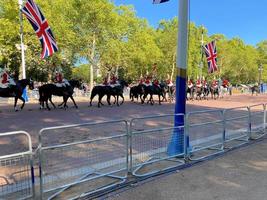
x,y
47,90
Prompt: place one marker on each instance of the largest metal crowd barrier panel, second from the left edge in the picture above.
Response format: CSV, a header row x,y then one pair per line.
x,y
71,169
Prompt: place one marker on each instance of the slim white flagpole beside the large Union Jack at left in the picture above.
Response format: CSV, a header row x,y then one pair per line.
x,y
21,41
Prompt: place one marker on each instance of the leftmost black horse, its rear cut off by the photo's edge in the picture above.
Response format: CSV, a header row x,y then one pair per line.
x,y
16,91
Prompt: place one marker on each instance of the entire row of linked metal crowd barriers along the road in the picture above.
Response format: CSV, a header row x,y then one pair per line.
x,y
82,159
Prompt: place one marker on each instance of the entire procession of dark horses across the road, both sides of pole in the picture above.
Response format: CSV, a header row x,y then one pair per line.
x,y
145,93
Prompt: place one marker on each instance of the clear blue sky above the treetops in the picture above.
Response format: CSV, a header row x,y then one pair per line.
x,y
234,18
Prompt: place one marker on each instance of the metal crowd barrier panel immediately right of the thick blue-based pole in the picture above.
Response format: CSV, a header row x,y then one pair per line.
x,y
205,130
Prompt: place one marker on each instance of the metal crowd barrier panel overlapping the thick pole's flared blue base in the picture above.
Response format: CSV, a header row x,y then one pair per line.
x,y
150,138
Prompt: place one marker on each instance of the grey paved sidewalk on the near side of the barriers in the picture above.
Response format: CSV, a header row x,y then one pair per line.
x,y
238,175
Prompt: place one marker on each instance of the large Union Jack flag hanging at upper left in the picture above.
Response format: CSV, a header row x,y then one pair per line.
x,y
41,27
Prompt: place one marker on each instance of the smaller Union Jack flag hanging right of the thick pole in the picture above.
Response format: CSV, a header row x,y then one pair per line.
x,y
211,55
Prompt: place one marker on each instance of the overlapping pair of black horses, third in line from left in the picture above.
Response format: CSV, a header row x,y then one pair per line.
x,y
109,90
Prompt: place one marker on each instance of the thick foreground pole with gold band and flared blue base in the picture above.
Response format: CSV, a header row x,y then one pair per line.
x,y
177,142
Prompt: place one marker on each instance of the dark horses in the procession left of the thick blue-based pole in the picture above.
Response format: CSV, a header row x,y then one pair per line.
x,y
47,91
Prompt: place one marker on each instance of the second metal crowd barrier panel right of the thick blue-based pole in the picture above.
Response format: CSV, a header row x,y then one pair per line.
x,y
236,127
